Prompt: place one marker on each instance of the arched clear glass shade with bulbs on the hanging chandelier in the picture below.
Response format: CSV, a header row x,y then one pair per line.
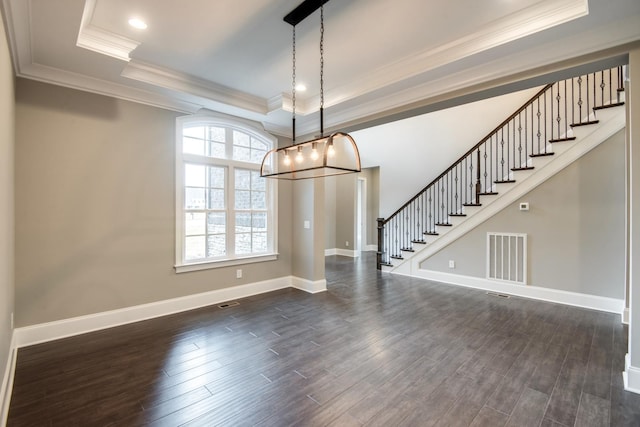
x,y
345,158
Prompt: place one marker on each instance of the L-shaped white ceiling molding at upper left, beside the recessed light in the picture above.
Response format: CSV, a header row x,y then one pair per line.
x,y
99,40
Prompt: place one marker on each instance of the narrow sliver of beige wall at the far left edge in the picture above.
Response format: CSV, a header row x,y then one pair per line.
x,y
6,200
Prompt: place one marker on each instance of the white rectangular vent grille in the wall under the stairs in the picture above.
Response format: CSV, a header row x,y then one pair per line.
x,y
507,257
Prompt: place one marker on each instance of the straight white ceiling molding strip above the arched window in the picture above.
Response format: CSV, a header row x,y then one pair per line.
x,y
181,82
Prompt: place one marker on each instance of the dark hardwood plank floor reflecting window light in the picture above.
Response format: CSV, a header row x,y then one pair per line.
x,y
373,350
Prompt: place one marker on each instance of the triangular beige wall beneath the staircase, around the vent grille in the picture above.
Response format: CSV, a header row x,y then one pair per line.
x,y
575,228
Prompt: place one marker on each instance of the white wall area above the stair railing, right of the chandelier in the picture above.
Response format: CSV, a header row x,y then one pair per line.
x,y
412,152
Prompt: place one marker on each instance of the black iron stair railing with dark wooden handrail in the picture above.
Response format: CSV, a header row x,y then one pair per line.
x,y
548,117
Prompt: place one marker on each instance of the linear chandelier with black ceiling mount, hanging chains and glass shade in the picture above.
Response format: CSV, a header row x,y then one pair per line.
x,y
335,154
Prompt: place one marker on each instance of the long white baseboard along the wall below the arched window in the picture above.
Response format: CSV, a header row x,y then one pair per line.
x,y
50,331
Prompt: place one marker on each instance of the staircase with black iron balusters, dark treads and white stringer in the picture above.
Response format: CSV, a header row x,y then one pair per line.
x,y
559,124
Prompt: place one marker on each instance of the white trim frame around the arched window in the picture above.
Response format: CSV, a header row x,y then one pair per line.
x,y
213,119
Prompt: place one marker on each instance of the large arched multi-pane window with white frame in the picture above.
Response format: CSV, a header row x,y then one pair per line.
x,y
225,212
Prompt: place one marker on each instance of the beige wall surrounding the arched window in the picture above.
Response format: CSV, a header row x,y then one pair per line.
x,y
95,208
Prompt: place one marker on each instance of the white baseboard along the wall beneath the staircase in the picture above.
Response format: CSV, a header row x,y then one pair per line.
x,y
535,292
